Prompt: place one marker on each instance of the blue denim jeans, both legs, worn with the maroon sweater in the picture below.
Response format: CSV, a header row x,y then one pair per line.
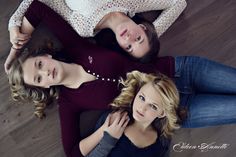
x,y
207,89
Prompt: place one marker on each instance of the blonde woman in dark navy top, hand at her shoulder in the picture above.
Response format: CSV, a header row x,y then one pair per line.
x,y
145,121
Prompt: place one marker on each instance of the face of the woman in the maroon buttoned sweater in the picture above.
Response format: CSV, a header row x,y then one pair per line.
x,y
42,71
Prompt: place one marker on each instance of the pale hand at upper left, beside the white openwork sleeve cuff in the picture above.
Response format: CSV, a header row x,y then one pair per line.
x,y
17,38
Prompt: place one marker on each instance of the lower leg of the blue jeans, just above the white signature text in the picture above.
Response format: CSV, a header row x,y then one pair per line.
x,y
209,110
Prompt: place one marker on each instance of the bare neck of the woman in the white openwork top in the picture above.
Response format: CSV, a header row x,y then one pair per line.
x,y
112,20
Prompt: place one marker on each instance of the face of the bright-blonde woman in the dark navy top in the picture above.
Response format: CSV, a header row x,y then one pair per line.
x,y
147,105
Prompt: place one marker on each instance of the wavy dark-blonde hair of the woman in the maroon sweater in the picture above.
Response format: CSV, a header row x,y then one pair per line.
x,y
27,93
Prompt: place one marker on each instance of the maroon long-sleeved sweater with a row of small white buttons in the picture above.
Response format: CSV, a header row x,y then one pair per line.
x,y
107,65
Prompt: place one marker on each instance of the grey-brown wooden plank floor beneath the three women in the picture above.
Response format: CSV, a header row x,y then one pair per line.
x,y
207,28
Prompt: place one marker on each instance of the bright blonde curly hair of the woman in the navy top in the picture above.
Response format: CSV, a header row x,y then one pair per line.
x,y
167,90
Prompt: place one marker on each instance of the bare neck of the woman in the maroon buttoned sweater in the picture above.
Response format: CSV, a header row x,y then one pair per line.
x,y
75,76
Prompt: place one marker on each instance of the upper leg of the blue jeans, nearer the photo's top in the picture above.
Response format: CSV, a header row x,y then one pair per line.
x,y
207,76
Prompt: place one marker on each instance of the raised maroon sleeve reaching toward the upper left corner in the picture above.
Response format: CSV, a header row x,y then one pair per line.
x,y
40,13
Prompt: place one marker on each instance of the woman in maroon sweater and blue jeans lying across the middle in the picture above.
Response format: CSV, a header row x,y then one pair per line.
x,y
205,96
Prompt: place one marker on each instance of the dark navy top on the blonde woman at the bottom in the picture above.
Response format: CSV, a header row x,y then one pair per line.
x,y
123,147
